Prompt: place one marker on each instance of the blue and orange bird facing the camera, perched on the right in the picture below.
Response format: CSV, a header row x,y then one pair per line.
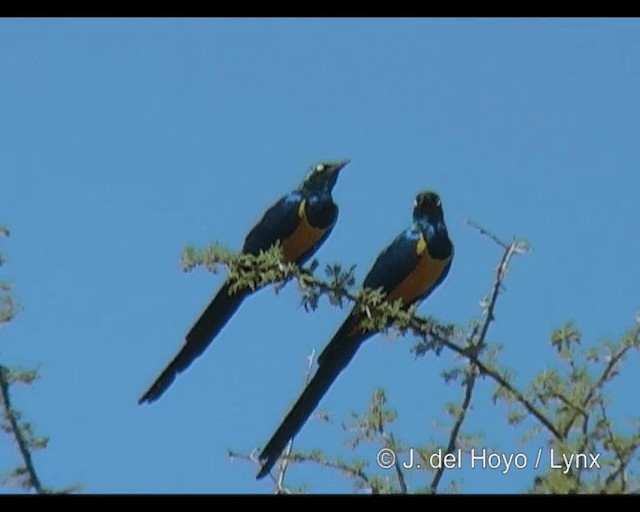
x,y
410,269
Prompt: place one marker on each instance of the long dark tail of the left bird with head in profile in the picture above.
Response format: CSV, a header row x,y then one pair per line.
x,y
212,320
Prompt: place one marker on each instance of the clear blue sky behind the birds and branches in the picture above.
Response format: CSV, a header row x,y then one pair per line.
x,y
122,141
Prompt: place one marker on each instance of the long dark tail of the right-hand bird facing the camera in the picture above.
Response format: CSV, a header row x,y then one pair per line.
x,y
332,361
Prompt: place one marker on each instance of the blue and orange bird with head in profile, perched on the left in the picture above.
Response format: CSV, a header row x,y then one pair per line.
x,y
301,221
